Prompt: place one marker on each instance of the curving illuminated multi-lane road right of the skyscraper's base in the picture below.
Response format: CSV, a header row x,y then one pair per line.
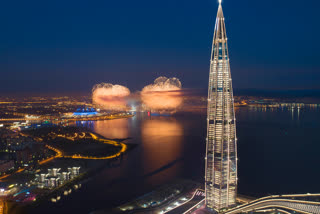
x,y
296,203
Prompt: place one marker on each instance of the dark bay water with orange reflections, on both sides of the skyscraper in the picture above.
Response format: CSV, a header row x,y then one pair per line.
x,y
279,145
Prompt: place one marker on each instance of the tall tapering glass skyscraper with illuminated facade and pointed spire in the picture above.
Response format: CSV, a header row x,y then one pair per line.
x,y
221,152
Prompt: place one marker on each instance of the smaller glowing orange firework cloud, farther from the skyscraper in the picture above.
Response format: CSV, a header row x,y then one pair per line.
x,y
110,96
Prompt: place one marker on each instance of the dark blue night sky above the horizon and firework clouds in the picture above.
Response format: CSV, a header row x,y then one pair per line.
x,y
70,45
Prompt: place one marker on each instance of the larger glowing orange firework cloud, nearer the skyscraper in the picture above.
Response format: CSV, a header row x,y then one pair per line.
x,y
164,94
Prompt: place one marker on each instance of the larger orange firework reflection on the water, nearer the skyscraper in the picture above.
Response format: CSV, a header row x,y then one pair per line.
x,y
161,141
